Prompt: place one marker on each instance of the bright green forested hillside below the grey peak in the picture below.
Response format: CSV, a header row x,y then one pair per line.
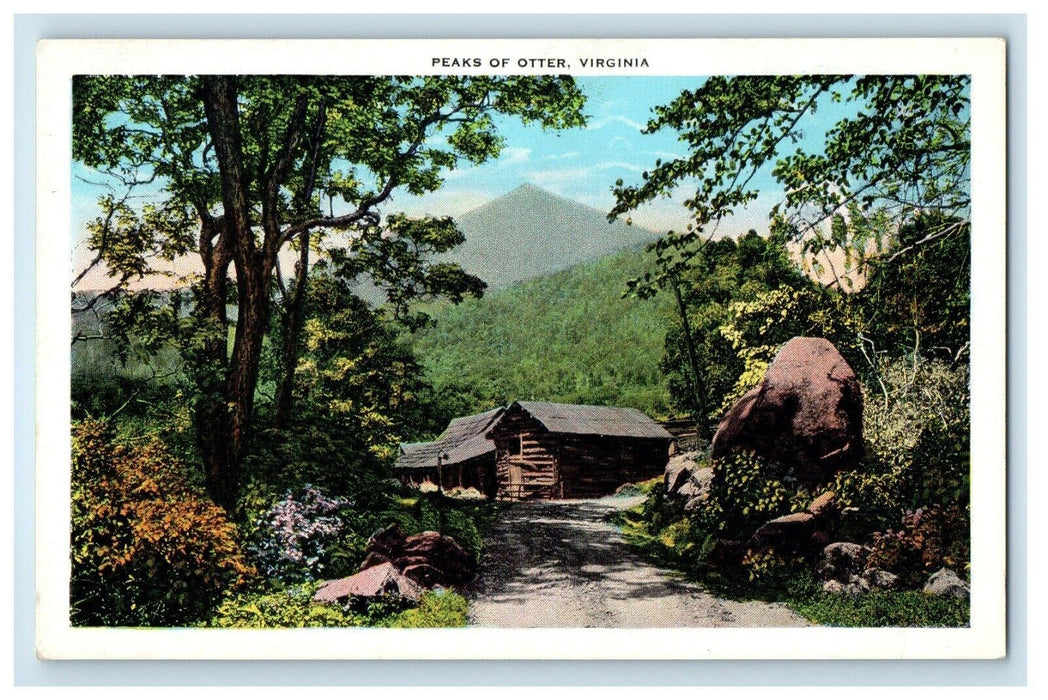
x,y
569,337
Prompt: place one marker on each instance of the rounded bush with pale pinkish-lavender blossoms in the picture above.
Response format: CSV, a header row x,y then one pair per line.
x,y
293,539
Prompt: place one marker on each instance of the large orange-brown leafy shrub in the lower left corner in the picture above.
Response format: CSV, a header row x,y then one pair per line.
x,y
146,549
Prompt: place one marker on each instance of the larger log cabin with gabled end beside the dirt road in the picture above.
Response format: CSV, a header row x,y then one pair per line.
x,y
561,451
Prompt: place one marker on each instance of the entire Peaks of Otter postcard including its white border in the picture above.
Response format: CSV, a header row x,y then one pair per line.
x,y
521,349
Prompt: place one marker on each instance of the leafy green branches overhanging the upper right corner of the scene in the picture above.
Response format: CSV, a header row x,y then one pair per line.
x,y
903,149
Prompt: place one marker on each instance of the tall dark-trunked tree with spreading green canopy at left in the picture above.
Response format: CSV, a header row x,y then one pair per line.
x,y
242,167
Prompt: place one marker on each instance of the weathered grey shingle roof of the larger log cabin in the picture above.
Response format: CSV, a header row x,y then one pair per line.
x,y
594,421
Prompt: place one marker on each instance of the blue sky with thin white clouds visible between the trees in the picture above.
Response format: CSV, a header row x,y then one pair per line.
x,y
578,164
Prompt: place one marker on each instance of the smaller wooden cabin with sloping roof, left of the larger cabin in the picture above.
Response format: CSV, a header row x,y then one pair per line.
x,y
462,457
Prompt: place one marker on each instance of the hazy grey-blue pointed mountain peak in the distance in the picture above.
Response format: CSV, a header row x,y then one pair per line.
x,y
530,233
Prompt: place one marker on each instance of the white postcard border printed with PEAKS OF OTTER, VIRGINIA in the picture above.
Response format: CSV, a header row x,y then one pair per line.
x,y
984,59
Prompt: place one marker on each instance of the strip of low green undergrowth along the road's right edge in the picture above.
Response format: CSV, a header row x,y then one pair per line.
x,y
680,546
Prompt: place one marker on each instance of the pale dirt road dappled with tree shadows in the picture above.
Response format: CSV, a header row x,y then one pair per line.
x,y
560,564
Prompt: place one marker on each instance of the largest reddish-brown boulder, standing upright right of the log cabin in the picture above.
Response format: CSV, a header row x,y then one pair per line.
x,y
806,413
